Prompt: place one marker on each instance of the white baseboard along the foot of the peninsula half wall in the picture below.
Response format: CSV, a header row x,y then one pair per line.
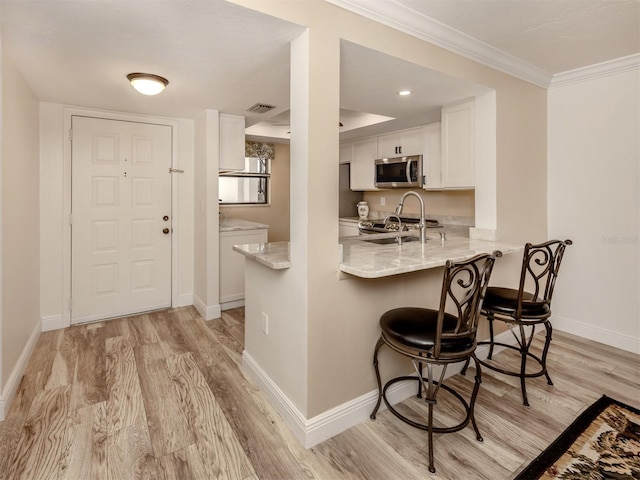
x,y
312,431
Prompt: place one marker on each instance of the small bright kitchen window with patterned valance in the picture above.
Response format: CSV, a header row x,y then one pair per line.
x,y
250,186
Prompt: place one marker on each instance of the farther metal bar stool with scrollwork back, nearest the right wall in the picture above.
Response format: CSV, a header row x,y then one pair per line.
x,y
525,308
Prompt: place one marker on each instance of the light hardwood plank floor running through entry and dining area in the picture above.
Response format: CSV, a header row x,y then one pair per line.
x,y
163,395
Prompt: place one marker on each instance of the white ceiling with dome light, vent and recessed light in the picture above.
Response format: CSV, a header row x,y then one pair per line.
x,y
218,55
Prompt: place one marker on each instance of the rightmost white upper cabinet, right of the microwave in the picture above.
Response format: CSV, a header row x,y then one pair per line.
x,y
458,145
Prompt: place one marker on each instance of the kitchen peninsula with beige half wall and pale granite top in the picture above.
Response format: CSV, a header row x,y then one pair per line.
x,y
359,280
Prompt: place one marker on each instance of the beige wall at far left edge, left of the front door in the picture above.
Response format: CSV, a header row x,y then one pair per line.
x,y
20,217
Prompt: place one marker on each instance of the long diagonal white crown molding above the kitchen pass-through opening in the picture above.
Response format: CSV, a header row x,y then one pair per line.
x,y
406,20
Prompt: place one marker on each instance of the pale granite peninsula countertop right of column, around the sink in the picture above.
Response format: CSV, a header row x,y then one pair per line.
x,y
369,260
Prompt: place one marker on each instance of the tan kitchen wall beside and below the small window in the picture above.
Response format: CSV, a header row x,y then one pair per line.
x,y
276,214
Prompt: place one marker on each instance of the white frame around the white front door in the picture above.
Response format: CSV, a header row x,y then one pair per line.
x,y
66,228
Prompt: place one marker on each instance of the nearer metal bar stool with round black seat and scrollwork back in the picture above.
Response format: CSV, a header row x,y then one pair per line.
x,y
438,338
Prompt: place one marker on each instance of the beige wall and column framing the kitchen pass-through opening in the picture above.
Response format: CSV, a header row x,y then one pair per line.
x,y
340,336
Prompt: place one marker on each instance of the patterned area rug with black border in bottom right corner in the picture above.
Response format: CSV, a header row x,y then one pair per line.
x,y
602,443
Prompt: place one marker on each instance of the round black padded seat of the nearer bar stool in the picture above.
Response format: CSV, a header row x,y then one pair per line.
x,y
417,328
